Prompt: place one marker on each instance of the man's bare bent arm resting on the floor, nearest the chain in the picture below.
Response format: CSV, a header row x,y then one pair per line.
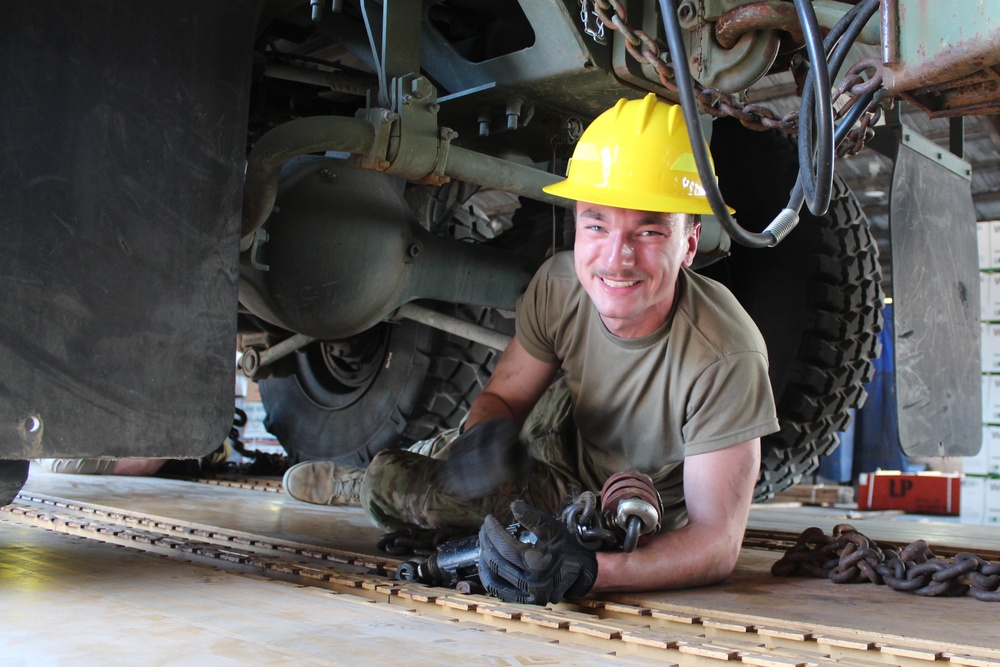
x,y
718,490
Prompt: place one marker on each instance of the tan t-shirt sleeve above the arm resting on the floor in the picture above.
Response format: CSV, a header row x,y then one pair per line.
x,y
730,402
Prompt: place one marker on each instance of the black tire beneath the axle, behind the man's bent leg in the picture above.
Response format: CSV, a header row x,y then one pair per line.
x,y
387,387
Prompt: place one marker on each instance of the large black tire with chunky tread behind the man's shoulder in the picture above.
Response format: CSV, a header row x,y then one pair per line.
x,y
816,298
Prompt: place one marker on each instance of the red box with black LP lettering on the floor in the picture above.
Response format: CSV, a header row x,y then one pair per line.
x,y
923,493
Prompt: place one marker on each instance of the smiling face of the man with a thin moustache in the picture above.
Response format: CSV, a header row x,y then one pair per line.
x,y
628,262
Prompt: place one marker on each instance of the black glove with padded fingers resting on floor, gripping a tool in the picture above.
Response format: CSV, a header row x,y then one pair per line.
x,y
554,567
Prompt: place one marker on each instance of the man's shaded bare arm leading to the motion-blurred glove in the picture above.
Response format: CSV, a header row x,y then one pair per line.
x,y
518,381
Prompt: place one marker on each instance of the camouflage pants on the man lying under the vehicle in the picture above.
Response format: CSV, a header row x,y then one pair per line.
x,y
398,488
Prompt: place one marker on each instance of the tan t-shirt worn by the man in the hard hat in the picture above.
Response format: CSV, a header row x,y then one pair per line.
x,y
696,385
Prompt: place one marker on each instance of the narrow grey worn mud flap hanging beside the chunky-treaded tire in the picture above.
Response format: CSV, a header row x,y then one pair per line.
x,y
935,274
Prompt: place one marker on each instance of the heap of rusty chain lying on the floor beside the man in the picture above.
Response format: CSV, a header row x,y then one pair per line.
x,y
847,557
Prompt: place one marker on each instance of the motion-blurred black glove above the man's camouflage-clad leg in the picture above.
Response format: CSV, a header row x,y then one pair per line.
x,y
482,458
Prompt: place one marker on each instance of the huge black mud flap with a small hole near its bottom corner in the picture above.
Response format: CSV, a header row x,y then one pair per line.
x,y
123,135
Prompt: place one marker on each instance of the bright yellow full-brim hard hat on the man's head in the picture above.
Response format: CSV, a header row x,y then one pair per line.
x,y
636,155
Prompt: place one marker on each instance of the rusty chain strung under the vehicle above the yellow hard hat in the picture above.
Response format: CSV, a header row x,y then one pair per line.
x,y
716,103
